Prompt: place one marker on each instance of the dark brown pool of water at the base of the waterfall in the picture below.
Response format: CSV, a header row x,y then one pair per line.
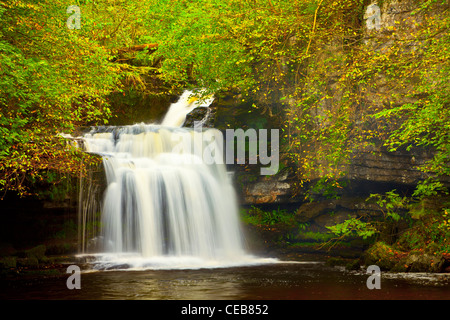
x,y
282,281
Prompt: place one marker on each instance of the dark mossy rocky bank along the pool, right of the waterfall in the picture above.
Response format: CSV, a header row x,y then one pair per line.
x,y
283,239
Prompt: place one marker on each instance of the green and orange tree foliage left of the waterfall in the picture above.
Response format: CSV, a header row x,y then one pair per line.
x,y
53,79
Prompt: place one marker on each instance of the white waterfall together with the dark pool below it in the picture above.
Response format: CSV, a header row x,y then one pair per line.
x,y
170,231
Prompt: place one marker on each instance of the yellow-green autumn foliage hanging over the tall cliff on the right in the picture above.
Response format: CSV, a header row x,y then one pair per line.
x,y
362,89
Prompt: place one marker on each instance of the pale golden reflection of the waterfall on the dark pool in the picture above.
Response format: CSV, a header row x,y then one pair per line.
x,y
166,285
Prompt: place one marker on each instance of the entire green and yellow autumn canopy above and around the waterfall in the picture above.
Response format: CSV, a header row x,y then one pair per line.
x,y
343,88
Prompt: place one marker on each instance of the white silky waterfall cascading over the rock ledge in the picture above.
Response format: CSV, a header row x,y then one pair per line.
x,y
163,206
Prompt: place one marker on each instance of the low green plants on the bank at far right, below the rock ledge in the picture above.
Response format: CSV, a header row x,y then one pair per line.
x,y
427,214
